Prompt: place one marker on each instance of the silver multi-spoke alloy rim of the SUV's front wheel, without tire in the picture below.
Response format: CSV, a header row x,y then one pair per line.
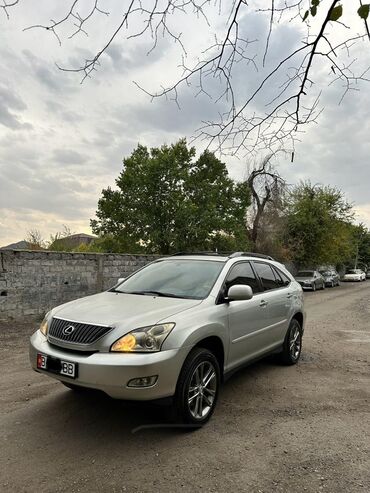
x,y
202,390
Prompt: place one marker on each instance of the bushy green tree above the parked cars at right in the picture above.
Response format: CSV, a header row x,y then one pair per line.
x,y
319,228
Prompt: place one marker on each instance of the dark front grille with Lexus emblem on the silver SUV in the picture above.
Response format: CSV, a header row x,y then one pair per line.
x,y
76,332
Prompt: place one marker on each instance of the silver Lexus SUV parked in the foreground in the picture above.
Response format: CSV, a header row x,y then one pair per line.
x,y
177,327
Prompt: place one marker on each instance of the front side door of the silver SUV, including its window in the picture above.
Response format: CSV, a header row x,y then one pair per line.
x,y
246,319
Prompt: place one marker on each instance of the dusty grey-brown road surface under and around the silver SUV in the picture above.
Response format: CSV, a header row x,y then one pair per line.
x,y
276,429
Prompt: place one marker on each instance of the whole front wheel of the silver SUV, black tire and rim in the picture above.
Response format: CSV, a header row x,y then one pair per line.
x,y
195,402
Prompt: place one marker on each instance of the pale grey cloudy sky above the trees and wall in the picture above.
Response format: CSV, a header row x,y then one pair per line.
x,y
62,142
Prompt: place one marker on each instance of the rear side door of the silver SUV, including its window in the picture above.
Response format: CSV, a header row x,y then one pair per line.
x,y
277,298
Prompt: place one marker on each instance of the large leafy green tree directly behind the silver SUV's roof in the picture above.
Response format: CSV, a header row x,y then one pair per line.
x,y
167,201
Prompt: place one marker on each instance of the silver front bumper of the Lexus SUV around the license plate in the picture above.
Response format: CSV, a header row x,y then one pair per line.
x,y
110,372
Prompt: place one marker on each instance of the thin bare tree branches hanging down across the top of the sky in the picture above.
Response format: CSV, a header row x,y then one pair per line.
x,y
244,123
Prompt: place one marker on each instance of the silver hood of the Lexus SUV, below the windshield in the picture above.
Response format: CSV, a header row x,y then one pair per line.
x,y
123,310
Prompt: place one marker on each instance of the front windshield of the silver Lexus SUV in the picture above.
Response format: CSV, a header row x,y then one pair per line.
x,y
174,278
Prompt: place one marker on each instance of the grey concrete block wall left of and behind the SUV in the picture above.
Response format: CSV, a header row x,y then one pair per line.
x,y
32,282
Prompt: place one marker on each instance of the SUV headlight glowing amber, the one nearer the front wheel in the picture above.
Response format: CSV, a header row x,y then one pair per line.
x,y
146,339
